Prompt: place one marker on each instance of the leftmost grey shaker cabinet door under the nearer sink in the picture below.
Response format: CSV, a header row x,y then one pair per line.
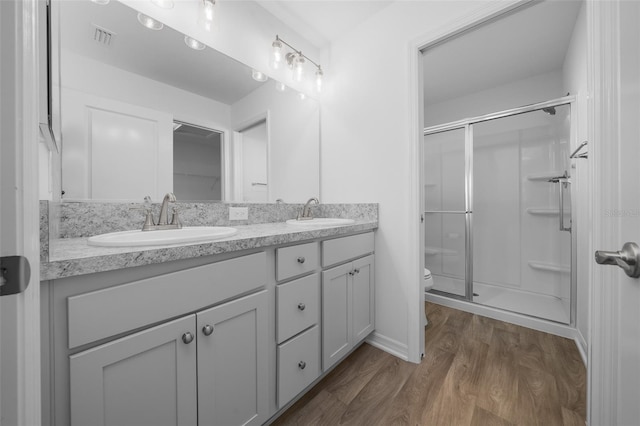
x,y
148,378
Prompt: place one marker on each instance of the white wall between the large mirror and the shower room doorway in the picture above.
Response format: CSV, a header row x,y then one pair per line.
x,y
368,152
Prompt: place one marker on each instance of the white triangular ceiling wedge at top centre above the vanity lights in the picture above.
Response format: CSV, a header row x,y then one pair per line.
x,y
321,22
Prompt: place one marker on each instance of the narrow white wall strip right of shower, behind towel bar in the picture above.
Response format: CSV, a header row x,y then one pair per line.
x,y
575,82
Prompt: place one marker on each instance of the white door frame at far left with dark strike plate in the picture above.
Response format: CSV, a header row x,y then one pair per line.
x,y
20,386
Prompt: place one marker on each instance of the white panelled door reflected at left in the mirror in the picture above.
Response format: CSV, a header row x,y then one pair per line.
x,y
114,150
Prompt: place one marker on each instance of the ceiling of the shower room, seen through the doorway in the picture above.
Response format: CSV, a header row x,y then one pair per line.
x,y
529,42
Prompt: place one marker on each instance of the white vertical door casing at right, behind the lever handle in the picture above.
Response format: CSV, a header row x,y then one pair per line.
x,y
604,78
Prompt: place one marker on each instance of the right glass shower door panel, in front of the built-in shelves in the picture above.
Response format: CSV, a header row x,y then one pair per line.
x,y
521,206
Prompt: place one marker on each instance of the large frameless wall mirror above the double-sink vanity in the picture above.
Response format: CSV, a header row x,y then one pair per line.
x,y
147,111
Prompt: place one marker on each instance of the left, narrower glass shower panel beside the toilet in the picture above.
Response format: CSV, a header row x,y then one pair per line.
x,y
446,216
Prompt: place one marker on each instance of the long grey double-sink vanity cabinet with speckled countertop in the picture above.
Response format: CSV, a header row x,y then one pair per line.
x,y
227,332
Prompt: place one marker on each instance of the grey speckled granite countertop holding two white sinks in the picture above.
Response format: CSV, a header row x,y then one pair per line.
x,y
73,256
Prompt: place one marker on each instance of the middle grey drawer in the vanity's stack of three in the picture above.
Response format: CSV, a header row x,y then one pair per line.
x,y
298,306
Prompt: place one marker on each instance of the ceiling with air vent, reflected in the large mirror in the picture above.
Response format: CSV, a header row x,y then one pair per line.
x,y
159,55
